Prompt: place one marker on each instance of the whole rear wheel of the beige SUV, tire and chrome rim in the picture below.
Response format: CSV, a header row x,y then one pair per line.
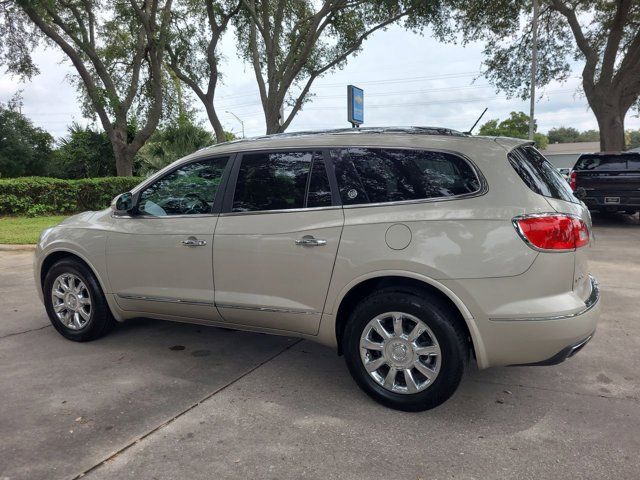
x,y
404,350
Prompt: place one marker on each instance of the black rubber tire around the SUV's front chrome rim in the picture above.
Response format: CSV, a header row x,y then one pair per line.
x,y
100,320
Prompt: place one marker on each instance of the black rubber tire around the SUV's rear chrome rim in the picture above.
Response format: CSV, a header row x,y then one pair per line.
x,y
450,336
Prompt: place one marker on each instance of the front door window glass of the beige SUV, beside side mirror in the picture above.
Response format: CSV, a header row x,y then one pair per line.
x,y
189,190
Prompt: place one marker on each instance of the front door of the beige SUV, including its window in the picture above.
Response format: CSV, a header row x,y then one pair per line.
x,y
160,260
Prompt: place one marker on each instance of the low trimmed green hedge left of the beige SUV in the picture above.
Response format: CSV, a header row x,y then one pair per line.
x,y
34,196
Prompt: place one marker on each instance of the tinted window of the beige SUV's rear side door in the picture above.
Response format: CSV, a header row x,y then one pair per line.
x,y
273,181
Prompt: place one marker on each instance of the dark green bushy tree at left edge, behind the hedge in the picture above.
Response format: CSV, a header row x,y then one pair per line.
x,y
24,149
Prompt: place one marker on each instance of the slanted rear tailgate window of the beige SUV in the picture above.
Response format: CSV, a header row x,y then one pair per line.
x,y
539,175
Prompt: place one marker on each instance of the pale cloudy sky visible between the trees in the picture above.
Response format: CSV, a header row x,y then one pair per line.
x,y
408,79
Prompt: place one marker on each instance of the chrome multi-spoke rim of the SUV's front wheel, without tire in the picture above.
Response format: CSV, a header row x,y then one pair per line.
x,y
71,301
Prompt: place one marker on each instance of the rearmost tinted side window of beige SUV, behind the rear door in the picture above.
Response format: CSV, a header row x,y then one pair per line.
x,y
374,175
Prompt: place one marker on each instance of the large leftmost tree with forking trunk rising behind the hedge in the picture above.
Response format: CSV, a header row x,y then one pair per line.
x,y
117,49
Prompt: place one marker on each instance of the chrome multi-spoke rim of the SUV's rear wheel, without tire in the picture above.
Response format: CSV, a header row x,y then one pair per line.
x,y
400,352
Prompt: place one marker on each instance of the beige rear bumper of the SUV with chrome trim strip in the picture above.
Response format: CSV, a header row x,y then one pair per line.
x,y
541,340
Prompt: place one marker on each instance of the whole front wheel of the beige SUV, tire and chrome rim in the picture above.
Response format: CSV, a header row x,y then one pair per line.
x,y
75,303
